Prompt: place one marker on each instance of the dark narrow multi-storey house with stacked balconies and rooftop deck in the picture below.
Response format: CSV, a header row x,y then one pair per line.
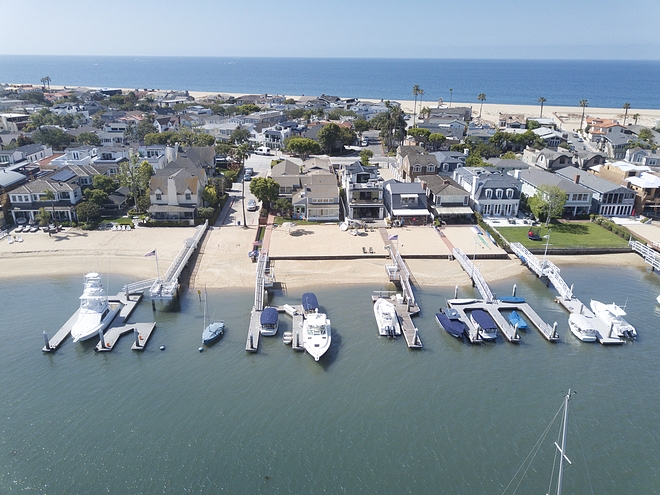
x,y
363,186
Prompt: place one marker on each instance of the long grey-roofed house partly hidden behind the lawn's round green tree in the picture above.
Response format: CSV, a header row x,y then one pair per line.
x,y
578,197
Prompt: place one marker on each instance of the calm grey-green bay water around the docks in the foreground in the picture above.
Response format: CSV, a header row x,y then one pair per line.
x,y
371,417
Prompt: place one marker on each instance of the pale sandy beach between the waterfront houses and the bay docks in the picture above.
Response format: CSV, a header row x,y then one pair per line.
x,y
223,260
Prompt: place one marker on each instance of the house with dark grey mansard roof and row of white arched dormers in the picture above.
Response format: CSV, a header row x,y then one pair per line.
x,y
491,192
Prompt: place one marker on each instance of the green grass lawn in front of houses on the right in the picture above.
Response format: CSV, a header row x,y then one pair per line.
x,y
565,235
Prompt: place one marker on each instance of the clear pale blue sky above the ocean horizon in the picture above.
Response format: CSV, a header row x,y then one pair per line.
x,y
561,29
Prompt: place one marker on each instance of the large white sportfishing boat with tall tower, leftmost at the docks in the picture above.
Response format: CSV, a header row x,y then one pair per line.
x,y
95,313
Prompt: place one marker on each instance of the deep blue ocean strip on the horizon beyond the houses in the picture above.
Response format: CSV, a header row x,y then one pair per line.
x,y
607,84
